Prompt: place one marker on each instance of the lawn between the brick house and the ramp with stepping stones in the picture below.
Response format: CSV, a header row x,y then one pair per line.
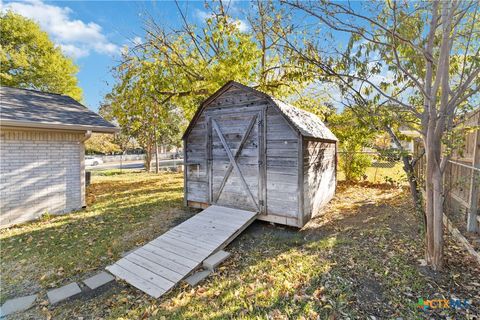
x,y
123,215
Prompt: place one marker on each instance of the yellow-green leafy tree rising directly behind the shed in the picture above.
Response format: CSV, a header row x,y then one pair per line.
x,y
161,83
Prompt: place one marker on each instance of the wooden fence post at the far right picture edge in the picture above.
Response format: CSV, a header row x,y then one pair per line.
x,y
472,224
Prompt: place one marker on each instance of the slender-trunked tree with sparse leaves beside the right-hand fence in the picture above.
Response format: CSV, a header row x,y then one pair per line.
x,y
426,58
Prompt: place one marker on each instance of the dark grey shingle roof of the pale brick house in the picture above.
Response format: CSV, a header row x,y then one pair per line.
x,y
30,108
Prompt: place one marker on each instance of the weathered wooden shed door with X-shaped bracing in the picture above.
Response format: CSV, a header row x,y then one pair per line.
x,y
236,158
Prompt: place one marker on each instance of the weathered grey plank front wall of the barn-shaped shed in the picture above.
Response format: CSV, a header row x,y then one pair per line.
x,y
281,156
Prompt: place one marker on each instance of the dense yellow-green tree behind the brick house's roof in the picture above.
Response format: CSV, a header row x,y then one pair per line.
x,y
29,59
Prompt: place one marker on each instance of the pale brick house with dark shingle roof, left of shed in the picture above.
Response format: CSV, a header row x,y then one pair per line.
x,y
42,153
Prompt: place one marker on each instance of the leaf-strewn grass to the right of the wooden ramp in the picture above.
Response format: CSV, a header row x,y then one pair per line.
x,y
361,263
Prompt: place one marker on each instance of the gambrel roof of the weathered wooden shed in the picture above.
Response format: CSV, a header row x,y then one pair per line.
x,y
306,123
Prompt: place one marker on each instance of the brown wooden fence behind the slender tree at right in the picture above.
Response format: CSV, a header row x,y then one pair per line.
x,y
461,179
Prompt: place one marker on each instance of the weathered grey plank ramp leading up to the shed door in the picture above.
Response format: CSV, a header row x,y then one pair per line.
x,y
159,265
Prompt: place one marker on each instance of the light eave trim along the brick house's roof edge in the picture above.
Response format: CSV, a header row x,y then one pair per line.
x,y
57,126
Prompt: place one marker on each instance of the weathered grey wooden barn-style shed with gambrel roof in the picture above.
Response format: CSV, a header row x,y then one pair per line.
x,y
245,149
